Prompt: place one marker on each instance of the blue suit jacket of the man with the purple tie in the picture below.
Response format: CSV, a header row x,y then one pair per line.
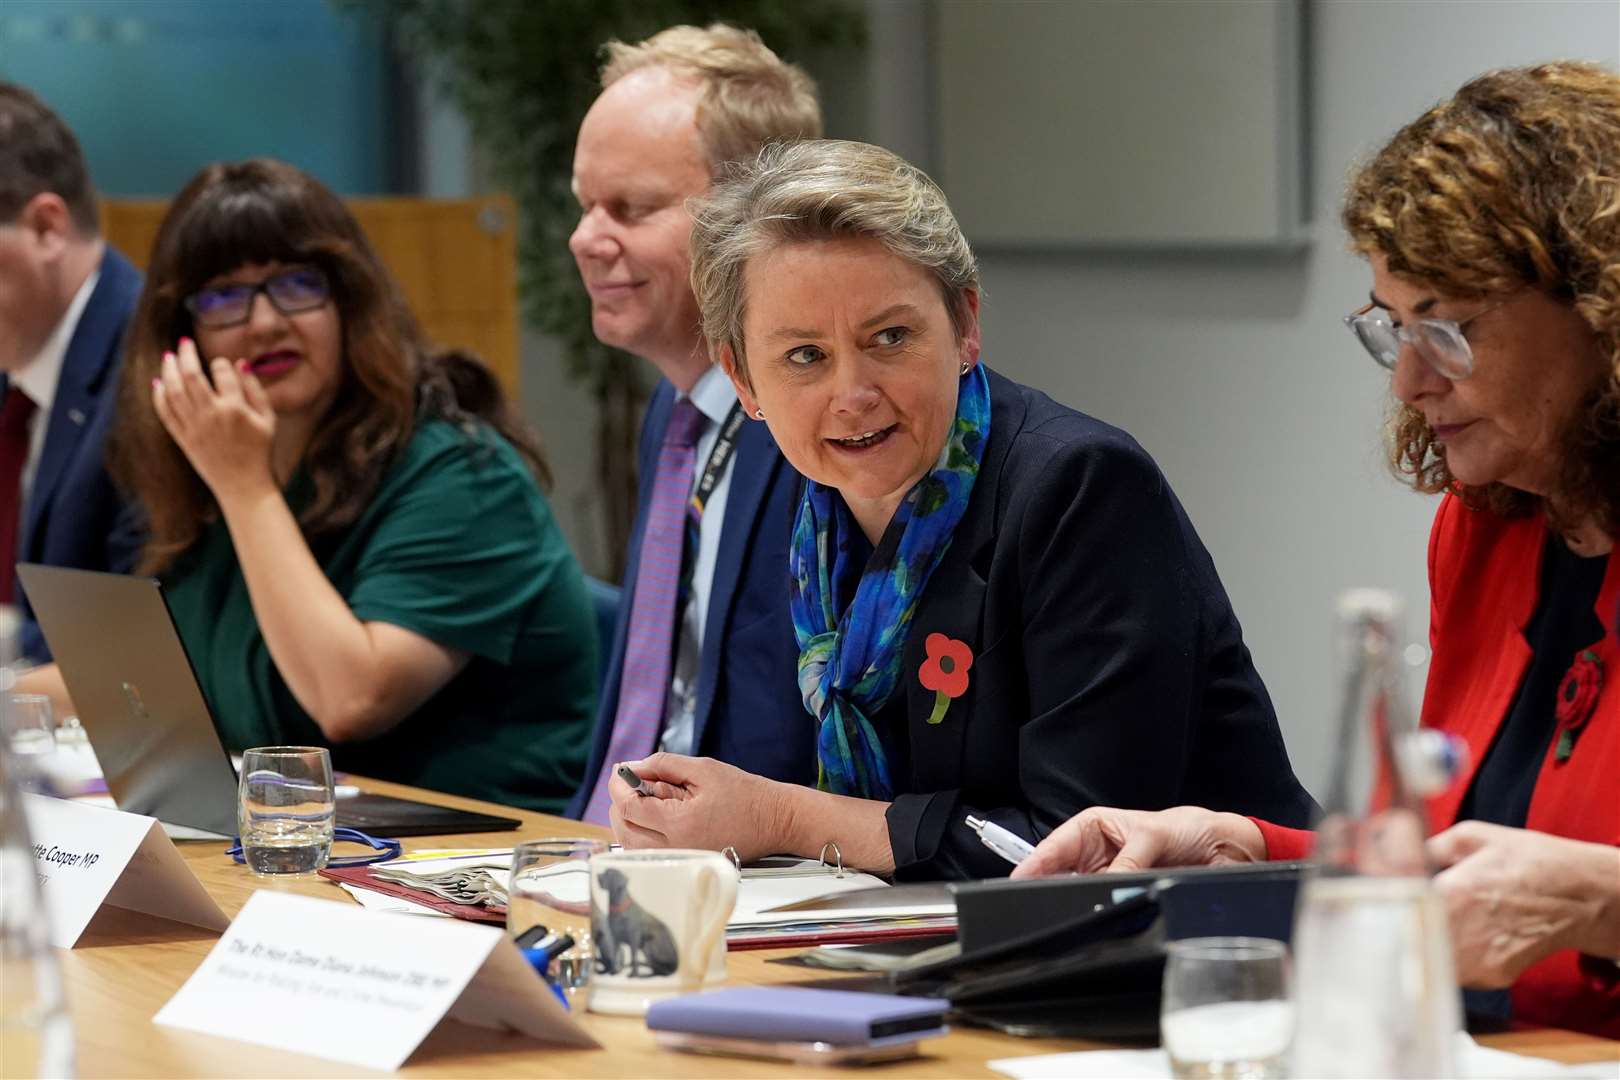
x,y
749,712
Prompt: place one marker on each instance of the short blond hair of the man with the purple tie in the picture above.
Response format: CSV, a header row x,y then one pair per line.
x,y
751,96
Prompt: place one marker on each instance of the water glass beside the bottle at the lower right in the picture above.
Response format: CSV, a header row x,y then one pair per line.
x,y
1227,1014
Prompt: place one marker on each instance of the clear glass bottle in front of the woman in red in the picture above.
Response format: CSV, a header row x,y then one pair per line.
x,y
1375,982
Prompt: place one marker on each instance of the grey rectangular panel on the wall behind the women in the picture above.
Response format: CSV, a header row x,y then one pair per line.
x,y
1122,124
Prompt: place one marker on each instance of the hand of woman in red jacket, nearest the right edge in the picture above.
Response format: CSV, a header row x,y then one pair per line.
x,y
1514,898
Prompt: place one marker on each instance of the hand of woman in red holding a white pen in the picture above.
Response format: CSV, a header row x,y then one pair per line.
x,y
1104,838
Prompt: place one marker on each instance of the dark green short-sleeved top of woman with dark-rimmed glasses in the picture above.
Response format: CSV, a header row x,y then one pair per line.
x,y
459,546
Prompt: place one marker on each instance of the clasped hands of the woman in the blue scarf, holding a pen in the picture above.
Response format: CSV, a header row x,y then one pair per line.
x,y
701,802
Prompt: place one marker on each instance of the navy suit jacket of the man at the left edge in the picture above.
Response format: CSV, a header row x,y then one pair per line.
x,y
72,516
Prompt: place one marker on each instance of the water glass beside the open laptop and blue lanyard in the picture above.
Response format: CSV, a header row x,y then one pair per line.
x,y
286,809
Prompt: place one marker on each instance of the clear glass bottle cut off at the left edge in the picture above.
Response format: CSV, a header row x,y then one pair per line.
x,y
36,1035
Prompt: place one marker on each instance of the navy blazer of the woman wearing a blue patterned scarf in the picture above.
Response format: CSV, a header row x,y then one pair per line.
x,y
1109,666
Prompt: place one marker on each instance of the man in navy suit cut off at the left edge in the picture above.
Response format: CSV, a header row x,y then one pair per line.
x,y
66,299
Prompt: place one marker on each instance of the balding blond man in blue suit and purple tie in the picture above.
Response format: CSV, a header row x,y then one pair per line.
x,y
704,658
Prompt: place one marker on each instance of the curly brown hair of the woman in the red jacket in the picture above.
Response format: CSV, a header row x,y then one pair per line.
x,y
1512,184
